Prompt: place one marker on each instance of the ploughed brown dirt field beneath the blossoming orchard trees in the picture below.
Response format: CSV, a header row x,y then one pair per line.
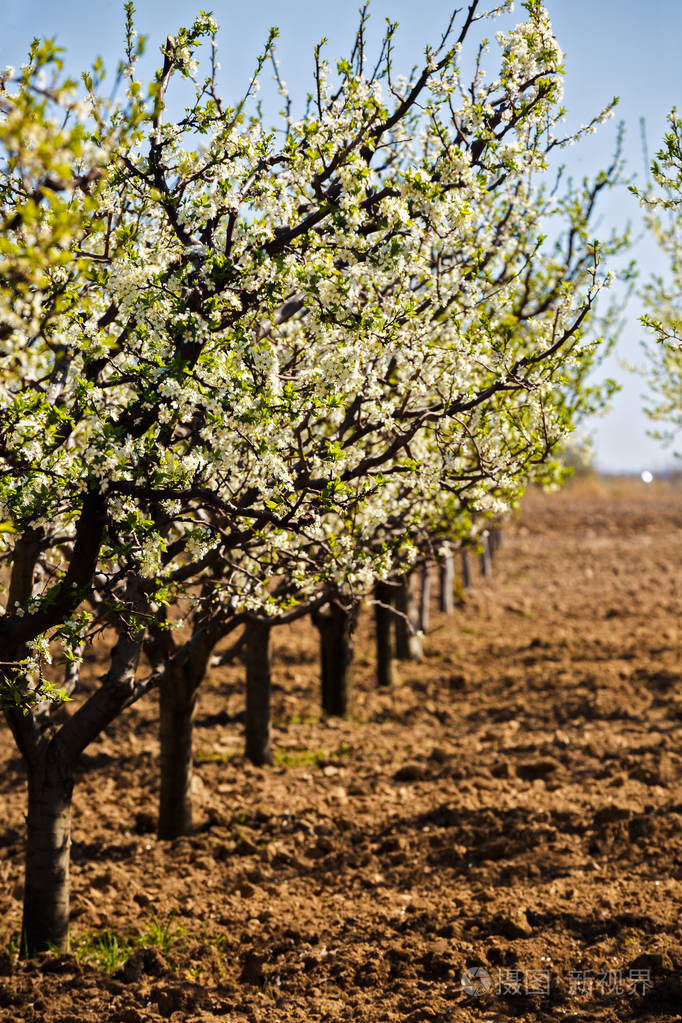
x,y
515,806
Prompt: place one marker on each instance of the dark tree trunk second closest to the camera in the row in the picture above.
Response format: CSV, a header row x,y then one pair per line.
x,y
176,704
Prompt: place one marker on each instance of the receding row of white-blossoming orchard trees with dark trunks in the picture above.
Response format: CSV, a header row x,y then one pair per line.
x,y
247,373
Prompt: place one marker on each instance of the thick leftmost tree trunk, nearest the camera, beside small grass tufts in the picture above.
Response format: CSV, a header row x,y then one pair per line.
x,y
46,923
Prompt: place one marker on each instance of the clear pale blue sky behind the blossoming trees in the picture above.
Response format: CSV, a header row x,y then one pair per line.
x,y
627,49
